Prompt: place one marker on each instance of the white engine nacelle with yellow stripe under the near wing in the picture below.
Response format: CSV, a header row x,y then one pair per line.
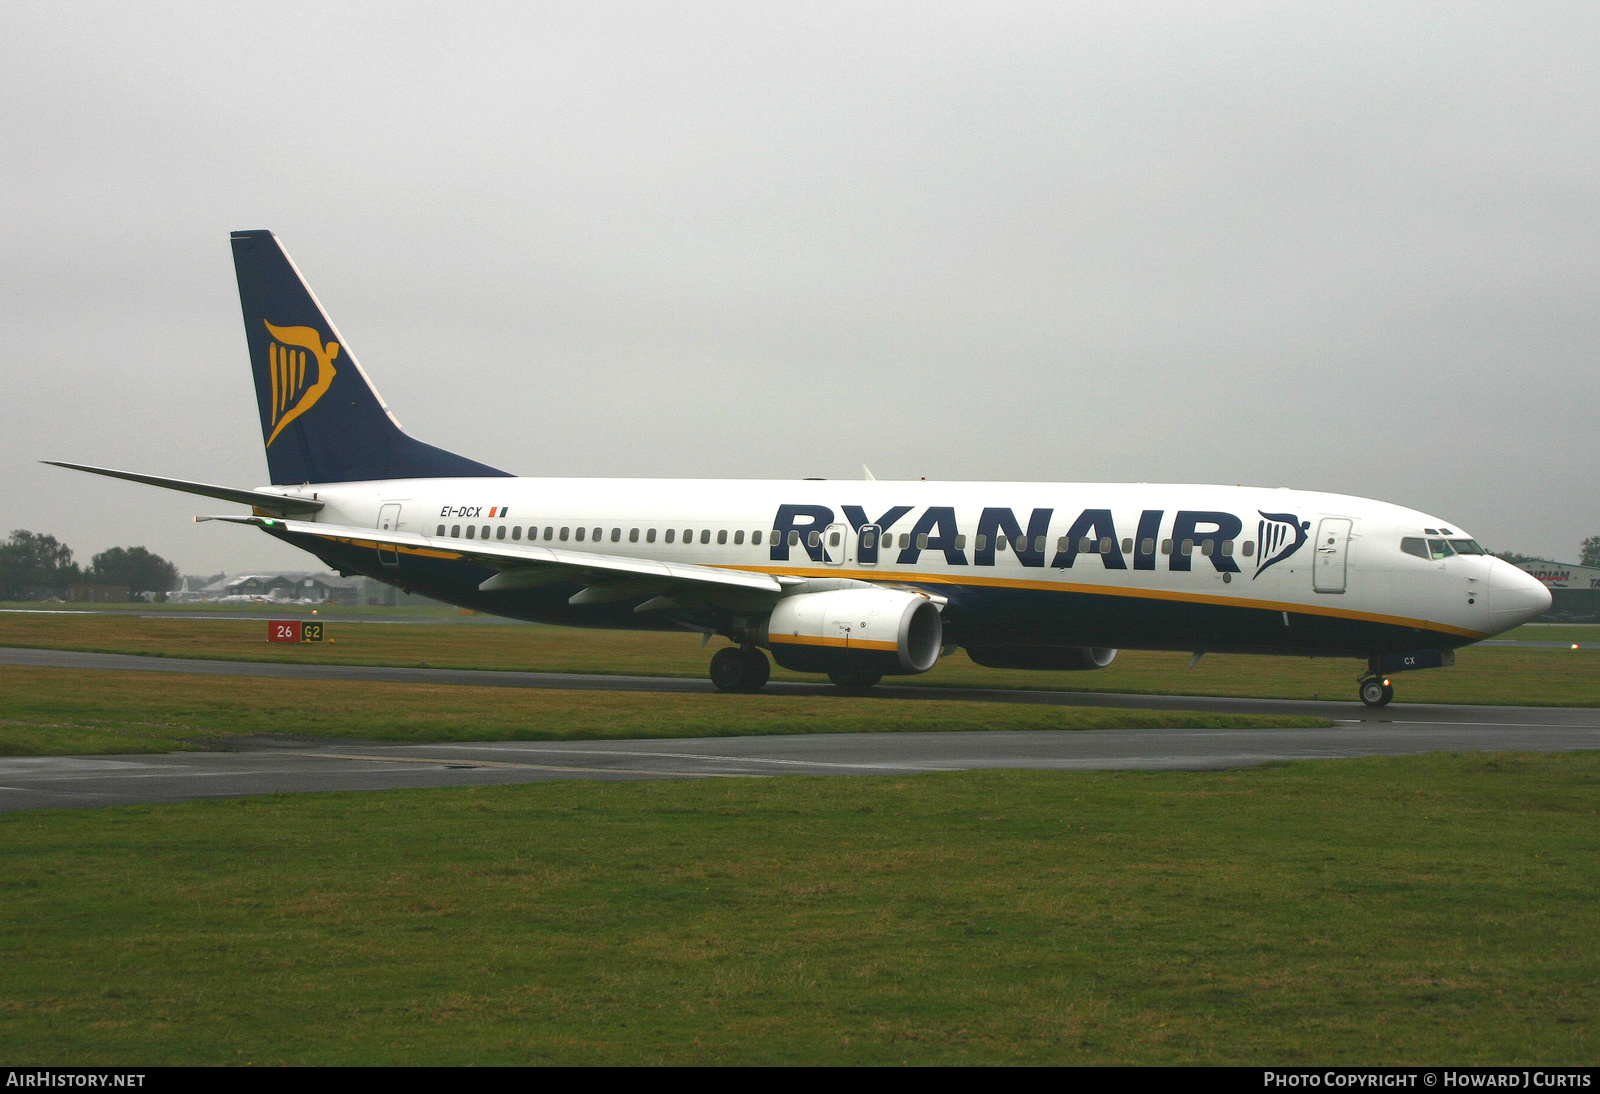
x,y
884,631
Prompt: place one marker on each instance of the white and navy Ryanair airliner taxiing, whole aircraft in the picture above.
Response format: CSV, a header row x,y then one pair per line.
x,y
855,580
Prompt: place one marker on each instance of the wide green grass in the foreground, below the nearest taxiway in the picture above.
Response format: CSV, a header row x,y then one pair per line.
x,y
1409,911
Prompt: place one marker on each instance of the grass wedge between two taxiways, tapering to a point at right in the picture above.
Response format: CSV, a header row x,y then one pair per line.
x,y
74,713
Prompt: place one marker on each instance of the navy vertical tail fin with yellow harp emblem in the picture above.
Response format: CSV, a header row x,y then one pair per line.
x,y
321,417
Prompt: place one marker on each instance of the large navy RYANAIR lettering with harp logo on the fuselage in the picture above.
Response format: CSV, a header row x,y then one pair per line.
x,y
897,538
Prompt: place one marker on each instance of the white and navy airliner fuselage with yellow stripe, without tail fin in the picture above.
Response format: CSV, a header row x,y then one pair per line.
x,y
1121,565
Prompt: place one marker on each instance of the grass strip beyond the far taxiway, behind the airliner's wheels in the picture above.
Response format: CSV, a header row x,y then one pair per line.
x,y
1482,676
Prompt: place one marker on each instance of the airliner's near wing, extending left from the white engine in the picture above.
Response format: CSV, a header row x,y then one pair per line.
x,y
521,567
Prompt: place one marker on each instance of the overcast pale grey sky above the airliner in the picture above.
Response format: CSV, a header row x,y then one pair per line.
x,y
1337,247
